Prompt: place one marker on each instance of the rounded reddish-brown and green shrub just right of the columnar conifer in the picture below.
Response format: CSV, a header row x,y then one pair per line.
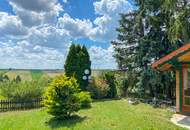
x,y
98,88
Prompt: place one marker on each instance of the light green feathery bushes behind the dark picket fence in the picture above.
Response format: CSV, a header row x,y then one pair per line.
x,y
23,90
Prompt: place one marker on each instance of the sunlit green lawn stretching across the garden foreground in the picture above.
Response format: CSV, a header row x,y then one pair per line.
x,y
104,115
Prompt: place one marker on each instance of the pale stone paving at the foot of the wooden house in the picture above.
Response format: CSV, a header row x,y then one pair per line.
x,y
181,120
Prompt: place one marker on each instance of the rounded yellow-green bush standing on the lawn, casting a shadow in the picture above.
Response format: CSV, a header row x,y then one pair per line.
x,y
63,97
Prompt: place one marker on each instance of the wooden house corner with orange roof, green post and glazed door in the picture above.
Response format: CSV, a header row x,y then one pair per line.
x,y
178,60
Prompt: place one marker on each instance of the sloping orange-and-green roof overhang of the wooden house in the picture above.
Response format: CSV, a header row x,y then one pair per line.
x,y
181,55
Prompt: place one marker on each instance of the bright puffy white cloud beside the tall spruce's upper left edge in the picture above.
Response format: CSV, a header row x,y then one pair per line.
x,y
103,27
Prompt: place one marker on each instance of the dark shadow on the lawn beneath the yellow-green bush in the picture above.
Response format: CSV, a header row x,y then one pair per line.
x,y
69,123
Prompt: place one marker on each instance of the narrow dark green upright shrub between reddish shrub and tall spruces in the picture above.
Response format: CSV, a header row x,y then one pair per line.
x,y
110,79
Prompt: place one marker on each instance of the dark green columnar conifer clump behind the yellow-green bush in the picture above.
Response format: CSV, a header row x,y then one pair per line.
x,y
78,60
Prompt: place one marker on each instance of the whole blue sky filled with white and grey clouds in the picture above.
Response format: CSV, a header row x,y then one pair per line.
x,y
36,34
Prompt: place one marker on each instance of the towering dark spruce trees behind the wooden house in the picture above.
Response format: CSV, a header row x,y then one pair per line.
x,y
147,34
